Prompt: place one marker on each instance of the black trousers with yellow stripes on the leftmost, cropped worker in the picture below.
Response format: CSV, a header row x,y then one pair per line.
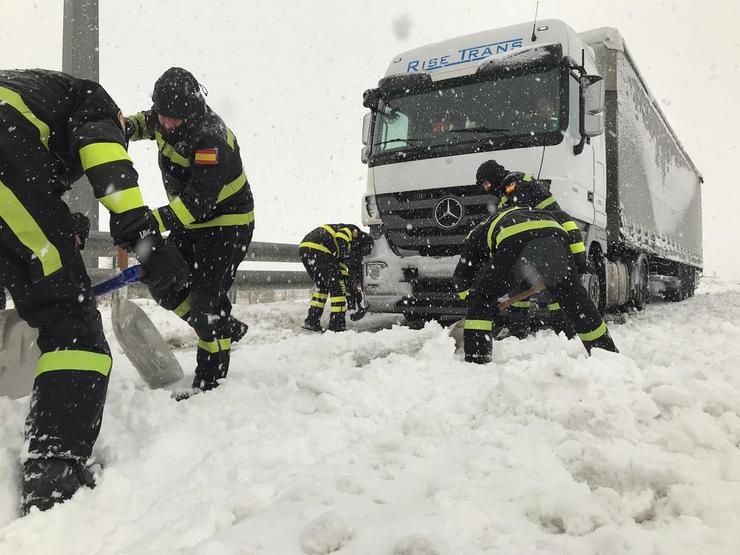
x,y
46,277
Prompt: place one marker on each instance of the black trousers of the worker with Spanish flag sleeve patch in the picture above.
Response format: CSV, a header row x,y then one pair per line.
x,y
213,255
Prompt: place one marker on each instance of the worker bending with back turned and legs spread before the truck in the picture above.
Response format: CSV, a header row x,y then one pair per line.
x,y
523,244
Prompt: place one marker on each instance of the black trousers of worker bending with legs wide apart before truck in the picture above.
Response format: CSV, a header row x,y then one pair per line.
x,y
545,259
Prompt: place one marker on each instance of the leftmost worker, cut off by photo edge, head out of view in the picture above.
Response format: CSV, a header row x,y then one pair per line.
x,y
54,127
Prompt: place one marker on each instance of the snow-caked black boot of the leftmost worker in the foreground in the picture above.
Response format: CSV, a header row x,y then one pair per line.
x,y
50,481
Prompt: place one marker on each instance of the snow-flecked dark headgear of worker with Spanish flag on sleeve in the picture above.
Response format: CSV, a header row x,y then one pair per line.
x,y
177,94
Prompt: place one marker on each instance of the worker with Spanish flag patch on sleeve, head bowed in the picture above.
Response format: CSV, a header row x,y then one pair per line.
x,y
210,214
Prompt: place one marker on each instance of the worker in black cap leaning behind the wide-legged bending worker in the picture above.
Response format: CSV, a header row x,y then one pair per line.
x,y
519,189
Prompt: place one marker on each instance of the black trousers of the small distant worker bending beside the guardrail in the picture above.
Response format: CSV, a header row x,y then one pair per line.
x,y
324,270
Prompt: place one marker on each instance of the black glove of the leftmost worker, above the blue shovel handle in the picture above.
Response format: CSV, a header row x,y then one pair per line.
x,y
164,267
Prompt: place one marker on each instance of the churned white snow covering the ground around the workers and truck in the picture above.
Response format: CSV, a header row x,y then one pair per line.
x,y
382,441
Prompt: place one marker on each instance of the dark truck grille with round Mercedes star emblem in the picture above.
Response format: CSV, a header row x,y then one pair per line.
x,y
420,222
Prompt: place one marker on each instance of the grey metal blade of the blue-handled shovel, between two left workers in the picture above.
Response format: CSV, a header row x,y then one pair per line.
x,y
143,345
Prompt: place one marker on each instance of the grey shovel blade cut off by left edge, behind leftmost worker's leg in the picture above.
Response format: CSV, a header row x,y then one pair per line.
x,y
18,355
